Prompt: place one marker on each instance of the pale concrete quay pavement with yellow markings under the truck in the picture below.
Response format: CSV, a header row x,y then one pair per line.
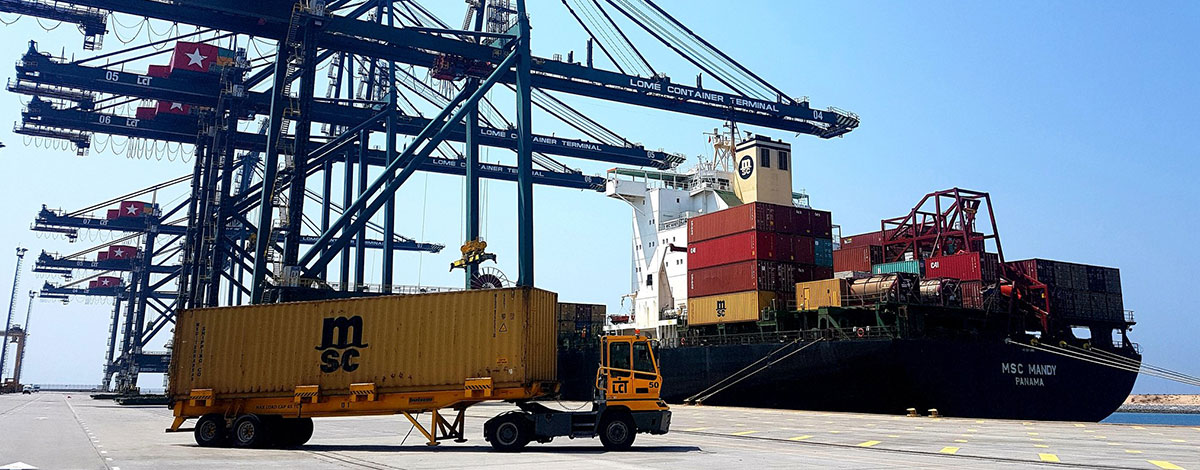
x,y
51,431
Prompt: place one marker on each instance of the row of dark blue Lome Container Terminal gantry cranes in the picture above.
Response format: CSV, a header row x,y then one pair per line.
x,y
244,234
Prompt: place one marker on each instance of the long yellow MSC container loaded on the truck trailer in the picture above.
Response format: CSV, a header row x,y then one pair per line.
x,y
401,344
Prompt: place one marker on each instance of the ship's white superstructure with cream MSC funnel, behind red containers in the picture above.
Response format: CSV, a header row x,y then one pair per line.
x,y
757,170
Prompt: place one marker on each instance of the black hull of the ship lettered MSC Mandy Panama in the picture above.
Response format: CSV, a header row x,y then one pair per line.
x,y
959,378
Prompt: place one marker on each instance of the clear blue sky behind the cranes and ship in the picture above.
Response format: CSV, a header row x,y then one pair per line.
x,y
1079,118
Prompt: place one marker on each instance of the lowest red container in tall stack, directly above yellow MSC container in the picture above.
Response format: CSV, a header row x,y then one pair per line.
x,y
740,278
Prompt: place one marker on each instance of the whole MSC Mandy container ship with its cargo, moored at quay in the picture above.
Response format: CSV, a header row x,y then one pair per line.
x,y
758,302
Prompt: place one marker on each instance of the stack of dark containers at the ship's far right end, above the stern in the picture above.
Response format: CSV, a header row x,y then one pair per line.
x,y
1076,291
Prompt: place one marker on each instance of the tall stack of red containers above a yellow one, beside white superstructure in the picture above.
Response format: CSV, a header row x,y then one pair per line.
x,y
749,258
